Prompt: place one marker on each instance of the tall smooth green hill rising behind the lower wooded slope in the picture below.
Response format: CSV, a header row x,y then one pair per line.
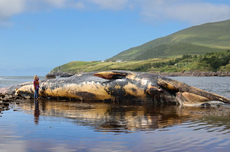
x,y
200,39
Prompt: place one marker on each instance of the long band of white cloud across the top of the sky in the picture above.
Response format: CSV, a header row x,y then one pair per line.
x,y
191,11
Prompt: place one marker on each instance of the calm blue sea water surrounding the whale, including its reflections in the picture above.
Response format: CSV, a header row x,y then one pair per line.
x,y
63,126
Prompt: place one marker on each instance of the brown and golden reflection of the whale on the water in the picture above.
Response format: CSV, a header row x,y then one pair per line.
x,y
116,118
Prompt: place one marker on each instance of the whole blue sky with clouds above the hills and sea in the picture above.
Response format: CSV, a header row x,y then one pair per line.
x,y
39,35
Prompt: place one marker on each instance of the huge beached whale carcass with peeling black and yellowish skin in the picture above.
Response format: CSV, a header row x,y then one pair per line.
x,y
119,86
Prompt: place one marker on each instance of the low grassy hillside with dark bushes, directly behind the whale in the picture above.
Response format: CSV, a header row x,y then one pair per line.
x,y
214,61
